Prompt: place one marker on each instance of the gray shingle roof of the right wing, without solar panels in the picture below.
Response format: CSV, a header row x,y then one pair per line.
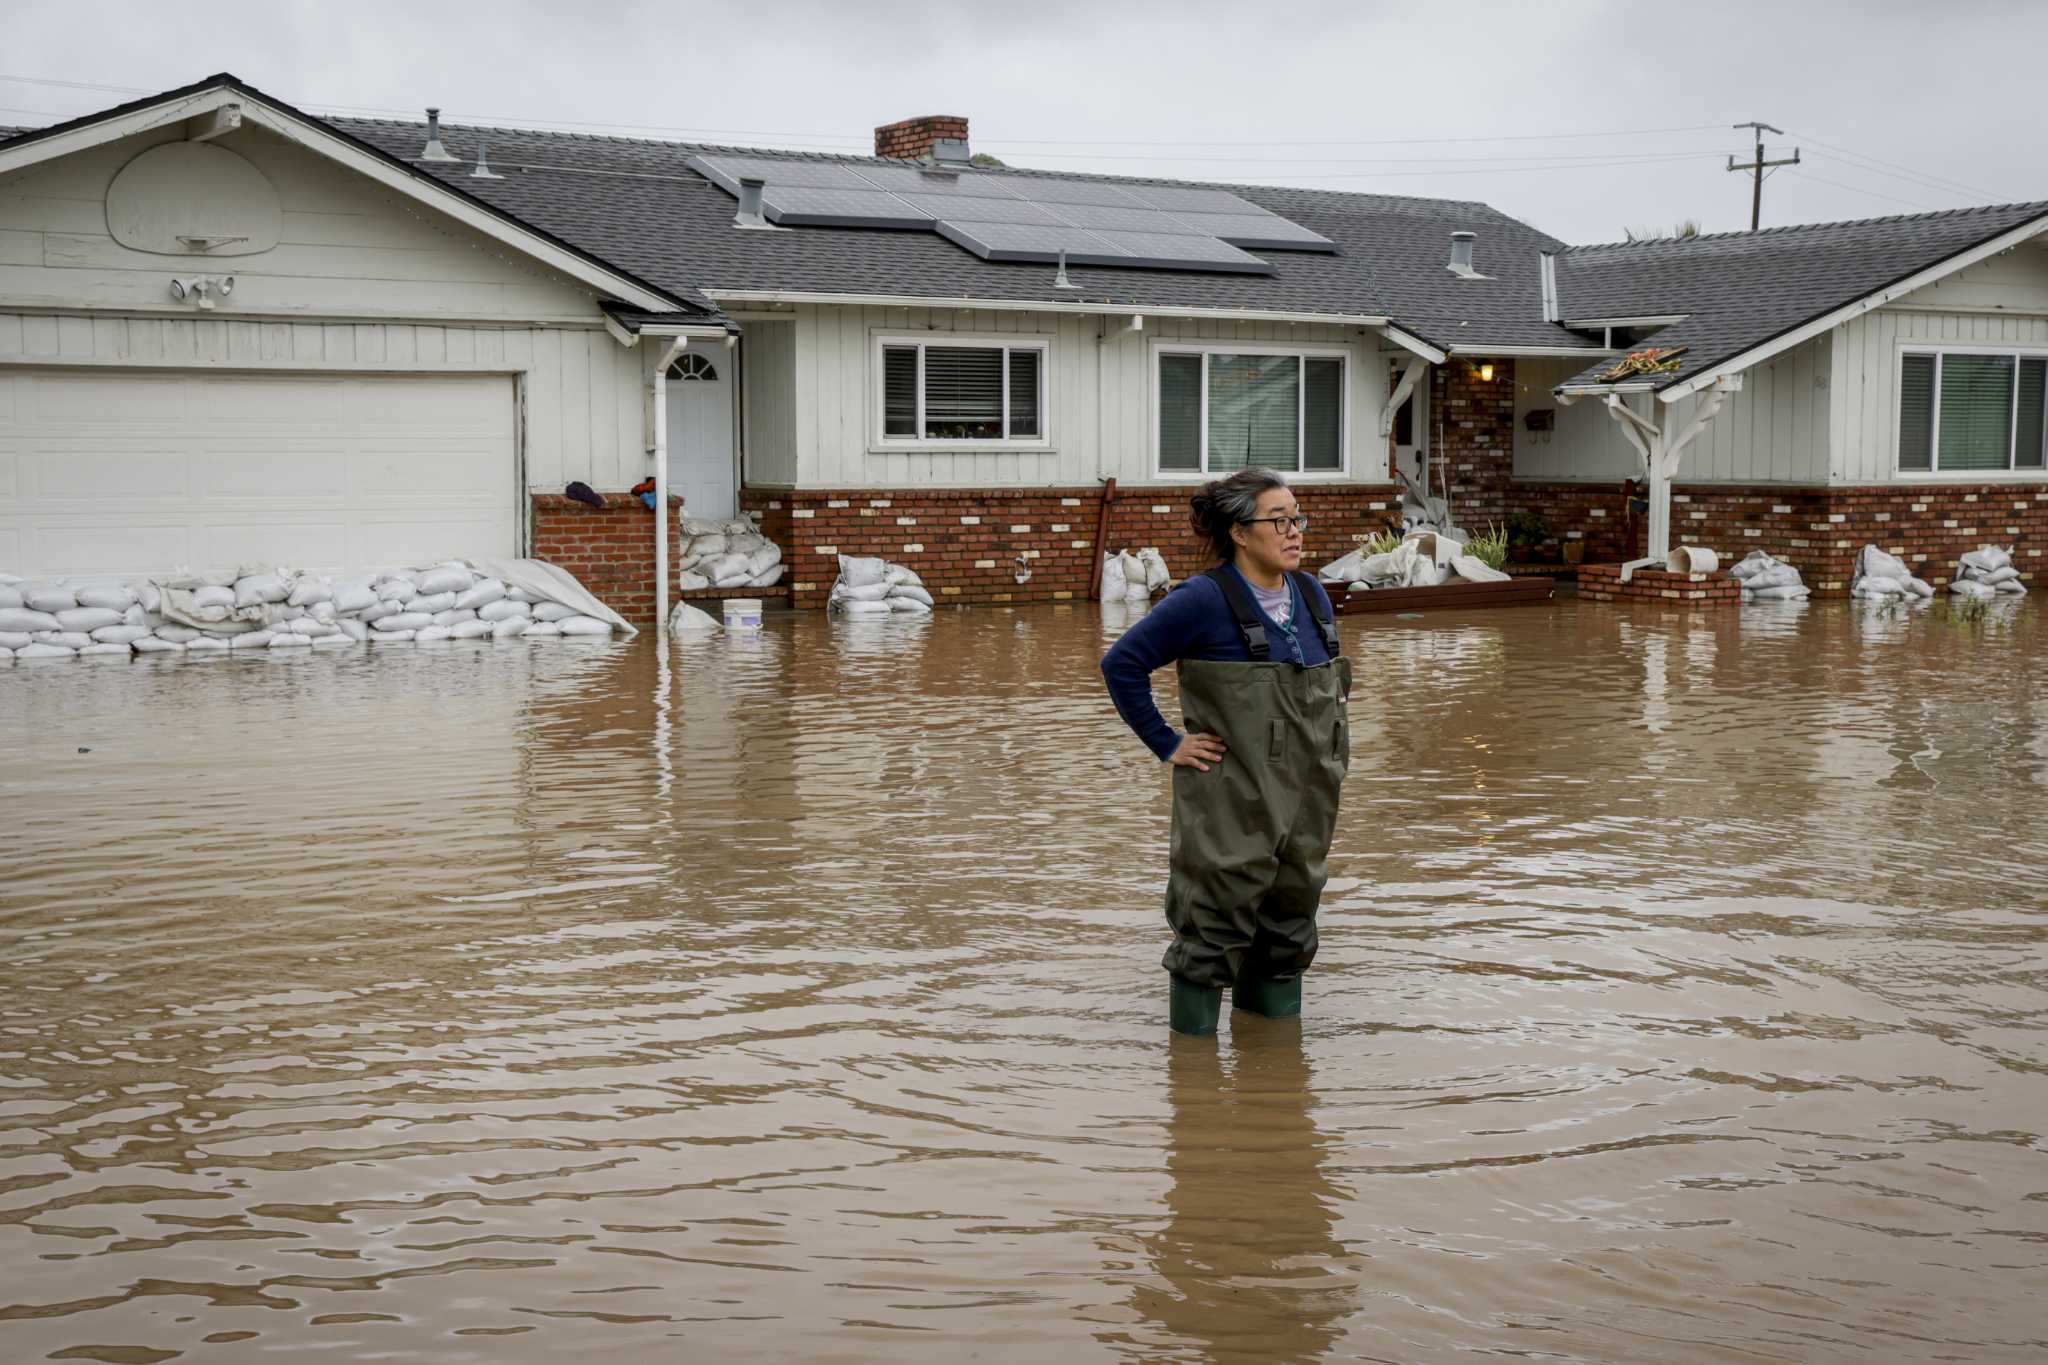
x,y
1746,290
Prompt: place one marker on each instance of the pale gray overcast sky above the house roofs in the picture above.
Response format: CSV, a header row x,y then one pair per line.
x,y
1582,120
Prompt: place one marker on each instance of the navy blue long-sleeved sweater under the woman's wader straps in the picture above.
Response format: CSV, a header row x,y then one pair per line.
x,y
1195,623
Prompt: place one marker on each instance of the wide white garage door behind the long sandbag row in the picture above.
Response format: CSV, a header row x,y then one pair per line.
x,y
136,472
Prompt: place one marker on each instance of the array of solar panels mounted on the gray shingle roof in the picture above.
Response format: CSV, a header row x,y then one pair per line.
x,y
1021,218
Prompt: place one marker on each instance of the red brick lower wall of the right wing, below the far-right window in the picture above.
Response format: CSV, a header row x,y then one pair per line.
x,y
1818,529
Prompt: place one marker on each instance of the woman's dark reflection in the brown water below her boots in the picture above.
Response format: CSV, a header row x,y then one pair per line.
x,y
1248,1258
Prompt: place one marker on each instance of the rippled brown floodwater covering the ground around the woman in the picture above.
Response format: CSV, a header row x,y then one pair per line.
x,y
1684,998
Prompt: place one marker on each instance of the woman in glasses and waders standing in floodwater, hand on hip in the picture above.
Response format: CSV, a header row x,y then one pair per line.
x,y
1263,693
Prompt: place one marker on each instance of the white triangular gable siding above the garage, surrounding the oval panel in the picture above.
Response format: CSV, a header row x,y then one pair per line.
x,y
347,251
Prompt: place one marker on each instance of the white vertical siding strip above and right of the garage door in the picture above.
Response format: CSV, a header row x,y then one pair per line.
x,y
579,390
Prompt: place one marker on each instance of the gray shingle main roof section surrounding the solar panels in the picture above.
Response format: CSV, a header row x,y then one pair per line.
x,y
636,204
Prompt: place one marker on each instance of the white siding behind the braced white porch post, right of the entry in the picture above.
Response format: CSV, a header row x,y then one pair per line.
x,y
1777,431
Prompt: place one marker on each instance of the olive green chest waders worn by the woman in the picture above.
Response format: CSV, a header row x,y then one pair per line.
x,y
1252,834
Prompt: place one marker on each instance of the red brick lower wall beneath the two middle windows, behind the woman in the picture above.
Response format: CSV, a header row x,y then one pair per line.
x,y
970,545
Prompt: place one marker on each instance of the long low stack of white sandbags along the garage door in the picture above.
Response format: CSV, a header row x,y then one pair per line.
x,y
282,609
